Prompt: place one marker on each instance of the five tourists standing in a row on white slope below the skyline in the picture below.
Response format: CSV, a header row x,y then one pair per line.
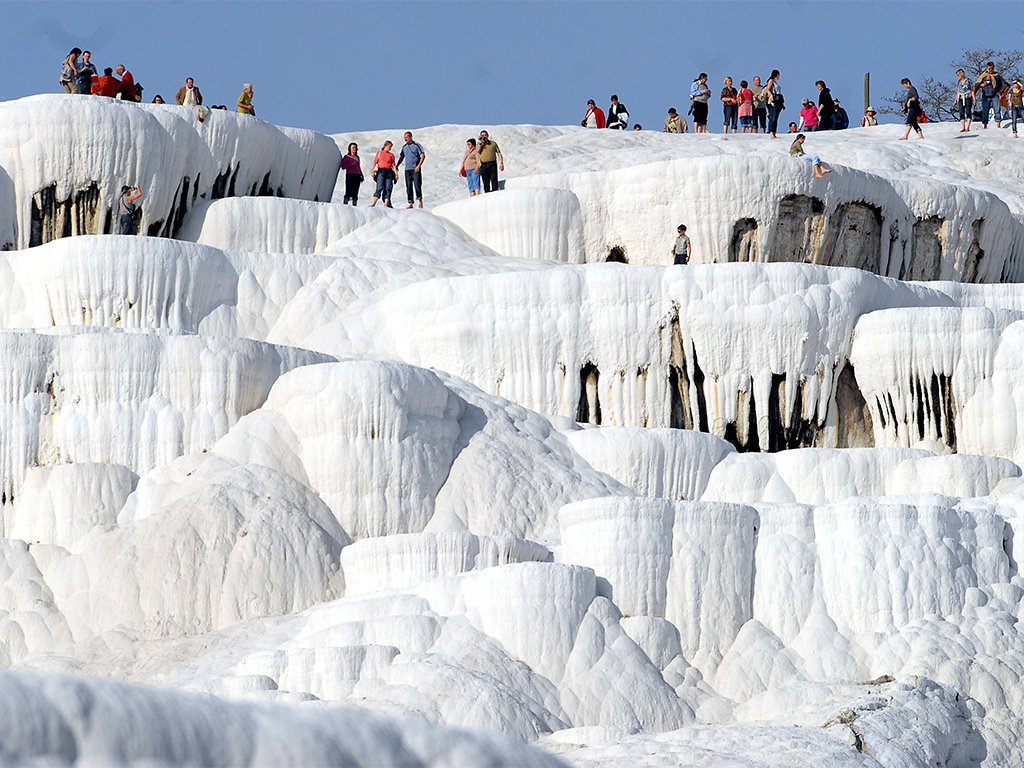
x,y
481,164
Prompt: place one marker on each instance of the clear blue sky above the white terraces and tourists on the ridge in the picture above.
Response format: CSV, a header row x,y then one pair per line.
x,y
337,67
